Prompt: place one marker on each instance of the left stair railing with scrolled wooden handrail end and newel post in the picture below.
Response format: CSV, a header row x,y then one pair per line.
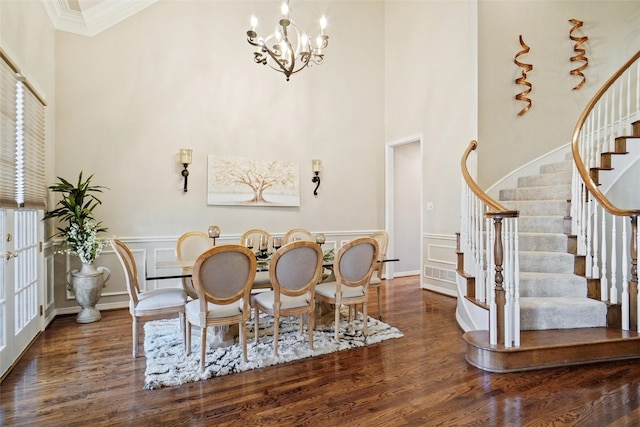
x,y
488,242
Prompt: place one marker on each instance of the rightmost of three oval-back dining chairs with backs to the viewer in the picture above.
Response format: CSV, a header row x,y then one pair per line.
x,y
353,266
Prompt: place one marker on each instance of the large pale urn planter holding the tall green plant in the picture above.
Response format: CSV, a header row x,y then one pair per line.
x,y
87,284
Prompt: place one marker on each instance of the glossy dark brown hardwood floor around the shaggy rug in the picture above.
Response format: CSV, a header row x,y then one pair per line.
x,y
84,375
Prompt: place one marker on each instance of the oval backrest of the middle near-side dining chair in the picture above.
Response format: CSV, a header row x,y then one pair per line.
x,y
296,267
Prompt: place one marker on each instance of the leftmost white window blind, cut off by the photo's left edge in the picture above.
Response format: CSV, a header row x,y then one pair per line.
x,y
8,112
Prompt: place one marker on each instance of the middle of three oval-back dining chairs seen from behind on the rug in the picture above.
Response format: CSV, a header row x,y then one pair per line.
x,y
294,271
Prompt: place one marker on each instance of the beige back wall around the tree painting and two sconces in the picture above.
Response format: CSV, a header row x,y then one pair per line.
x,y
181,74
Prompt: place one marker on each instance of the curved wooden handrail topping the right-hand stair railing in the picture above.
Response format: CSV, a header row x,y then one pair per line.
x,y
582,170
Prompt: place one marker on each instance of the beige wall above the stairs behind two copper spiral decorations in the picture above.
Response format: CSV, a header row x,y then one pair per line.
x,y
506,140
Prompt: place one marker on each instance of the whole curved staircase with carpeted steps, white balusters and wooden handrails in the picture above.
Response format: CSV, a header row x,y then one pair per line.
x,y
530,274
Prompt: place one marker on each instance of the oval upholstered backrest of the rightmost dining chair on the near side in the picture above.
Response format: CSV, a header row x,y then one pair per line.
x,y
355,262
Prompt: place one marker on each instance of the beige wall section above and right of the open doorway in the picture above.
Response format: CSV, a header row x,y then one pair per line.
x,y
430,87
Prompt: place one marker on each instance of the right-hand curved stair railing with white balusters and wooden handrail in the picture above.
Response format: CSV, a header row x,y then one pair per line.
x,y
610,120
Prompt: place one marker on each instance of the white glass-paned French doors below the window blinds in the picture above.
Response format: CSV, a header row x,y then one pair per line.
x,y
21,279
